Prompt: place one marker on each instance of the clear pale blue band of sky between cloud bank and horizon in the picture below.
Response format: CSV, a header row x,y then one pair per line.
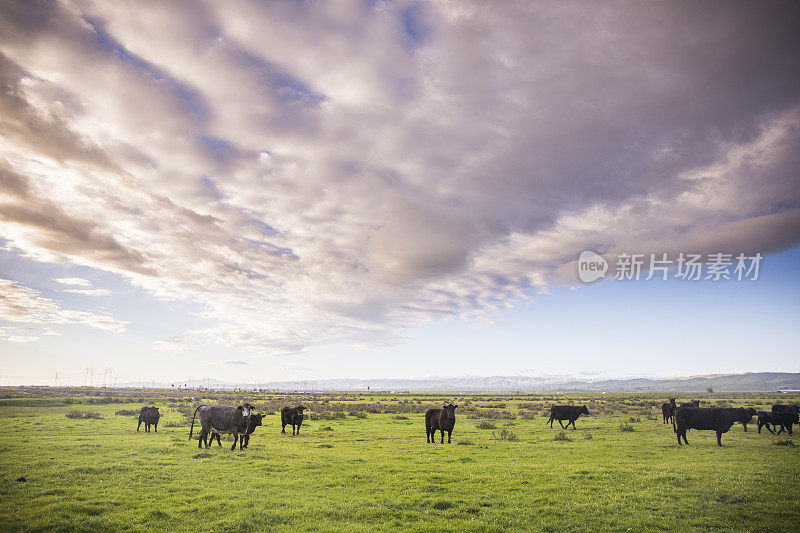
x,y
607,329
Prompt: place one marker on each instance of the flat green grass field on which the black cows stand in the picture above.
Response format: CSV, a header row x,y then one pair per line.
x,y
369,468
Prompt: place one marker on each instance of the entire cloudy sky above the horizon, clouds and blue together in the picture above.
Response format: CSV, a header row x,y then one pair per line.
x,y
262,191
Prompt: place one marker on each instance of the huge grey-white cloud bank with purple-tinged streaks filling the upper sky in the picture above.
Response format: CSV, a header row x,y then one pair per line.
x,y
450,172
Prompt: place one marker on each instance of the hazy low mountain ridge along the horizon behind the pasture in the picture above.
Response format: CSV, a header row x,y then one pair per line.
x,y
747,382
